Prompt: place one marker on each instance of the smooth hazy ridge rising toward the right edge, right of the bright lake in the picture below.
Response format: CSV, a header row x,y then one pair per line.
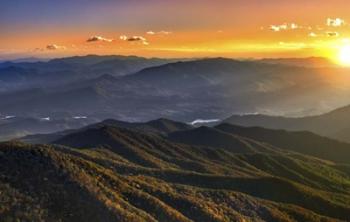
x,y
334,124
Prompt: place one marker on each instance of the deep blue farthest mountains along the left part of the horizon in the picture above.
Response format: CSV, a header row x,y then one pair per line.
x,y
70,69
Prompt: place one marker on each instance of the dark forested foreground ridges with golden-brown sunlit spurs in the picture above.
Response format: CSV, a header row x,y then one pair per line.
x,y
113,173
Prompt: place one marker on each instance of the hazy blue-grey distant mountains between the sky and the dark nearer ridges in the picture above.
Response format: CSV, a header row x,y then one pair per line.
x,y
209,88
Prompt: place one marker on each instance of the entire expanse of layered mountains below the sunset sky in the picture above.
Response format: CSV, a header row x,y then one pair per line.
x,y
125,138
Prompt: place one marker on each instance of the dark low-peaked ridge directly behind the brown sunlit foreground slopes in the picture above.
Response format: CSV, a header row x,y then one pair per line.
x,y
235,138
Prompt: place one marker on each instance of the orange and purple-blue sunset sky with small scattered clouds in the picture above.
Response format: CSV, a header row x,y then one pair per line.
x,y
169,28
